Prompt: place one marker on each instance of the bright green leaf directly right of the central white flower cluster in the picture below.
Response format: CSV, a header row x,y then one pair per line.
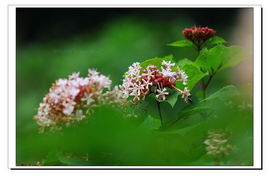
x,y
194,75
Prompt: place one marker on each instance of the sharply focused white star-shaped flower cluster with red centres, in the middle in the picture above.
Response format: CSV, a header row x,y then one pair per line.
x,y
140,82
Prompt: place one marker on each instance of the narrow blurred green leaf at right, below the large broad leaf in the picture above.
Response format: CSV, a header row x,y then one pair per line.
x,y
224,93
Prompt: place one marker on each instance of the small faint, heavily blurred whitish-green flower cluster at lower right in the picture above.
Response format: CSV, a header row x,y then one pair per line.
x,y
217,143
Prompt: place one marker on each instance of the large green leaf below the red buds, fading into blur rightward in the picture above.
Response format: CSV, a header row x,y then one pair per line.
x,y
219,57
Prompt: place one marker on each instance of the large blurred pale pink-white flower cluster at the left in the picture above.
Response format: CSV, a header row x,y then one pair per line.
x,y
71,99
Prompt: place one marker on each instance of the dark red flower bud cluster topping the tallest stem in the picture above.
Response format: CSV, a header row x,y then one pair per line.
x,y
198,34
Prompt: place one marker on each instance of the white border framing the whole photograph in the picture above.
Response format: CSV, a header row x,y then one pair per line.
x,y
257,94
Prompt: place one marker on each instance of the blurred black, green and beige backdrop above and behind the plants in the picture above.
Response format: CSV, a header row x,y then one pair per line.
x,y
54,42
